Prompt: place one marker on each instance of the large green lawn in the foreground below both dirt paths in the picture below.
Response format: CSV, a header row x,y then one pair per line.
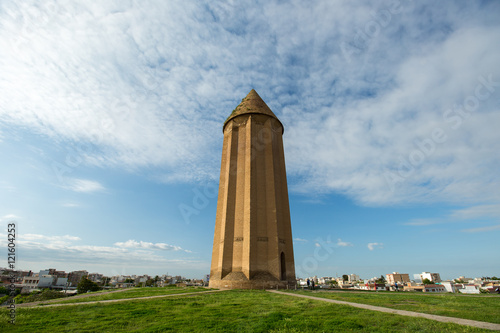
x,y
227,311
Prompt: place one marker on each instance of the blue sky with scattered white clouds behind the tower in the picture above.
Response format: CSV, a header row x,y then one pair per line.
x,y
111,131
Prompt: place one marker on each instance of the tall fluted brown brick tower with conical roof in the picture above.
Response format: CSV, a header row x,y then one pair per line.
x,y
253,246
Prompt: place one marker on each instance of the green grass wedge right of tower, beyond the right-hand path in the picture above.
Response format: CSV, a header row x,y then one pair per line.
x,y
475,307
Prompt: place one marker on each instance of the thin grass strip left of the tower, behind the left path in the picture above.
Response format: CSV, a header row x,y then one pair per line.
x,y
132,293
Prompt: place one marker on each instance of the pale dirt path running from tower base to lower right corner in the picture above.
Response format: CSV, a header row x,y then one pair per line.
x,y
474,323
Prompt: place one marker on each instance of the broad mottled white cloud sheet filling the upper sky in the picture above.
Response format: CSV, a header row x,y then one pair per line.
x,y
149,86
